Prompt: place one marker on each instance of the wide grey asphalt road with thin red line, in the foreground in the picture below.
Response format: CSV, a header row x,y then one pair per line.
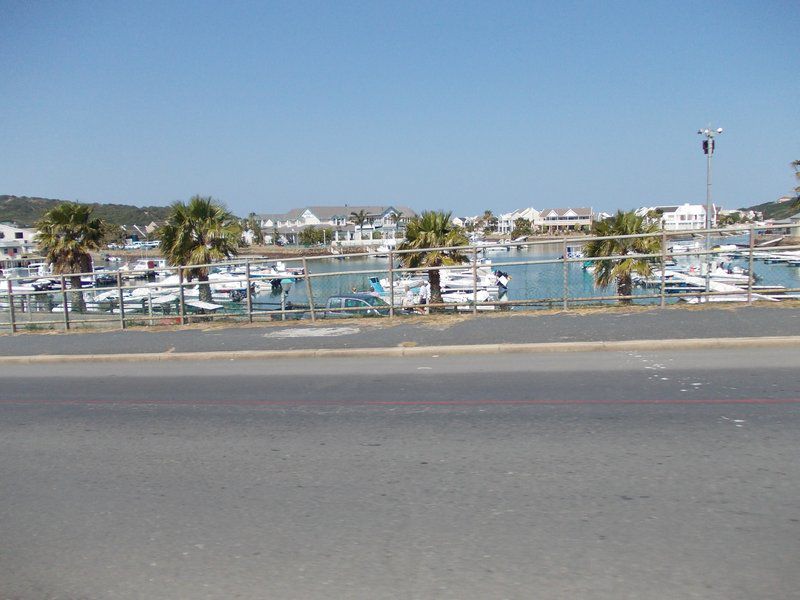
x,y
590,475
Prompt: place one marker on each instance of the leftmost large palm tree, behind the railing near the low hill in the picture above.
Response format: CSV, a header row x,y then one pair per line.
x,y
66,235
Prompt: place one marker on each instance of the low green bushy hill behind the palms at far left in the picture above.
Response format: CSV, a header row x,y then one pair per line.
x,y
26,211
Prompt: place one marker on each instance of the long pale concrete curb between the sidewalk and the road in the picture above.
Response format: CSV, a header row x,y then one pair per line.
x,y
405,351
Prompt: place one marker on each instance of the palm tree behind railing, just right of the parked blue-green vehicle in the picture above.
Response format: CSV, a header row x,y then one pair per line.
x,y
432,229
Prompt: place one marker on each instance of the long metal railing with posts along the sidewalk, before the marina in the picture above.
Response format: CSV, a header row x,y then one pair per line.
x,y
241,294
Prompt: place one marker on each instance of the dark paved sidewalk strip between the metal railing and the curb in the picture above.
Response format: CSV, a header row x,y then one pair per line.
x,y
506,328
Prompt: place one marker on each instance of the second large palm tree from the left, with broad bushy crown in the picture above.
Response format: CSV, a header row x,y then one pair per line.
x,y
199,233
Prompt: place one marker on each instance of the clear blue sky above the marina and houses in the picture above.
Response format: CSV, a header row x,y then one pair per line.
x,y
461,106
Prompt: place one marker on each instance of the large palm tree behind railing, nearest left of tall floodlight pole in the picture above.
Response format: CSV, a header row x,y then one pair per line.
x,y
621,270
